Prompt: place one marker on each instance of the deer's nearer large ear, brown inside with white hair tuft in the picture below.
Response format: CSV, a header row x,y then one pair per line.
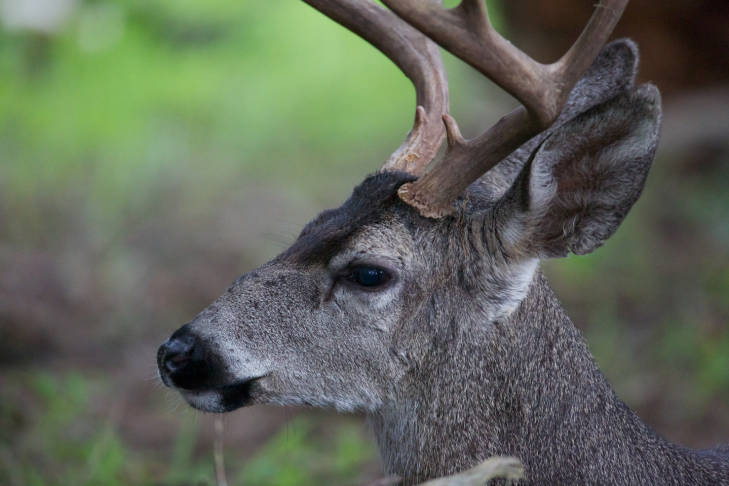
x,y
580,183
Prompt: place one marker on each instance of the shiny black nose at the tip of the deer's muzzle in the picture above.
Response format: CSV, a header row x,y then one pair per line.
x,y
181,360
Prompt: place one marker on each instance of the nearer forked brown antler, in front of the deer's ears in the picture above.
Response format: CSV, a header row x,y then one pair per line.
x,y
466,32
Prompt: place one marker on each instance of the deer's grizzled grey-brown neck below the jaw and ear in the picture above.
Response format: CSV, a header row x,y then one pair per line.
x,y
527,387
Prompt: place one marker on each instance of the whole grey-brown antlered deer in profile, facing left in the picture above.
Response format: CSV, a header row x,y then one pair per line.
x,y
420,302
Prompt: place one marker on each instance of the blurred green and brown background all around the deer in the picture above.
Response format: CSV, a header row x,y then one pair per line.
x,y
152,151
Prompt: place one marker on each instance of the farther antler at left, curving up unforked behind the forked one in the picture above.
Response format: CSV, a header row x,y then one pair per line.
x,y
418,57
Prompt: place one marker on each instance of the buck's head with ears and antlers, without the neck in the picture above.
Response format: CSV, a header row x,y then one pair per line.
x,y
370,290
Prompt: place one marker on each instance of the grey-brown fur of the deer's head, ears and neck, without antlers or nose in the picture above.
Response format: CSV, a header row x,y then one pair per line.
x,y
465,353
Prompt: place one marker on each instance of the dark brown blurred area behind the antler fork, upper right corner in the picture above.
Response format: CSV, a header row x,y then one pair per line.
x,y
684,44
